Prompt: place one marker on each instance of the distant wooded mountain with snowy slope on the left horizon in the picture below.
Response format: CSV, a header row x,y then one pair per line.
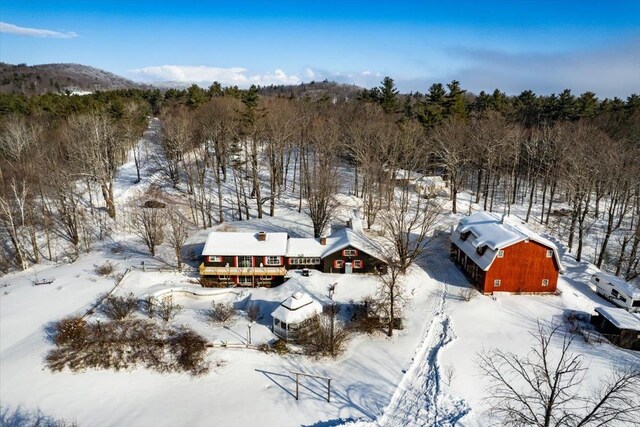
x,y
59,78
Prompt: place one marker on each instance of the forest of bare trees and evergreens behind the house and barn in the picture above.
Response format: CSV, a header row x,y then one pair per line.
x,y
575,158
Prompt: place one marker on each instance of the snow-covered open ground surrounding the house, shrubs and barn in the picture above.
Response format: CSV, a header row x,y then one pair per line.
x,y
399,381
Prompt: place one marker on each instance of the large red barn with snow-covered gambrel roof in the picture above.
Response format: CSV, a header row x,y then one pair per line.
x,y
504,257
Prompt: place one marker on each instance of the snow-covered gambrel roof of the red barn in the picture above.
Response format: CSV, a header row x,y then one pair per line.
x,y
487,229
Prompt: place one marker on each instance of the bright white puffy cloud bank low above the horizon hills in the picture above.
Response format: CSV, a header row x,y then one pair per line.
x,y
204,74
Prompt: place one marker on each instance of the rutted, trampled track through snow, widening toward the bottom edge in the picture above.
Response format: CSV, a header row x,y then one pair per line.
x,y
418,400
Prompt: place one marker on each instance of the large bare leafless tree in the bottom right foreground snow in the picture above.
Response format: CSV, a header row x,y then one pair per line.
x,y
545,389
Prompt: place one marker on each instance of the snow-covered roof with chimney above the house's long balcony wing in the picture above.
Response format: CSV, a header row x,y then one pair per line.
x,y
242,243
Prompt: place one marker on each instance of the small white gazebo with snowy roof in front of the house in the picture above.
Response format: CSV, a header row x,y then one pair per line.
x,y
293,314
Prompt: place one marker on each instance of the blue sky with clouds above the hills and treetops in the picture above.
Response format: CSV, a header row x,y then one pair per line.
x,y
545,46
